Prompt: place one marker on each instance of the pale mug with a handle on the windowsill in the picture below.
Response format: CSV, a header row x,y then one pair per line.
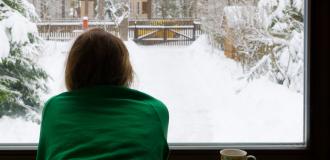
x,y
235,154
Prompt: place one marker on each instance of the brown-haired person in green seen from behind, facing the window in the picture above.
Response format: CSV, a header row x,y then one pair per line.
x,y
100,117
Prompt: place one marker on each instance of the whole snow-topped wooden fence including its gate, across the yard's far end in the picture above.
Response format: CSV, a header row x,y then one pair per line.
x,y
144,32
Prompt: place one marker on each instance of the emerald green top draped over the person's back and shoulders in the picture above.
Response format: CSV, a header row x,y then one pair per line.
x,y
104,122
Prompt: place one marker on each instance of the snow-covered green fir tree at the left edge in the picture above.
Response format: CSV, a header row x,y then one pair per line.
x,y
21,80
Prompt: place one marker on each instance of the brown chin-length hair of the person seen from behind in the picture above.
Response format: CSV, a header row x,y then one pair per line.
x,y
98,58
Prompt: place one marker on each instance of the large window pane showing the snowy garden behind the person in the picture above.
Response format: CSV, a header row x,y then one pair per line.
x,y
230,72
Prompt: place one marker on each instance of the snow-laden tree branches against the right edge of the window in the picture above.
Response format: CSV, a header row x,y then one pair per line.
x,y
272,43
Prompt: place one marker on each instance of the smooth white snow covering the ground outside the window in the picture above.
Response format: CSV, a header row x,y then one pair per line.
x,y
201,88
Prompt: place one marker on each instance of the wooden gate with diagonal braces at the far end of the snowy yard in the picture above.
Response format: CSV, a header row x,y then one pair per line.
x,y
164,32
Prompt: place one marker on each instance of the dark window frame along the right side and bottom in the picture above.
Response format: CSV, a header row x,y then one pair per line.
x,y
318,141
